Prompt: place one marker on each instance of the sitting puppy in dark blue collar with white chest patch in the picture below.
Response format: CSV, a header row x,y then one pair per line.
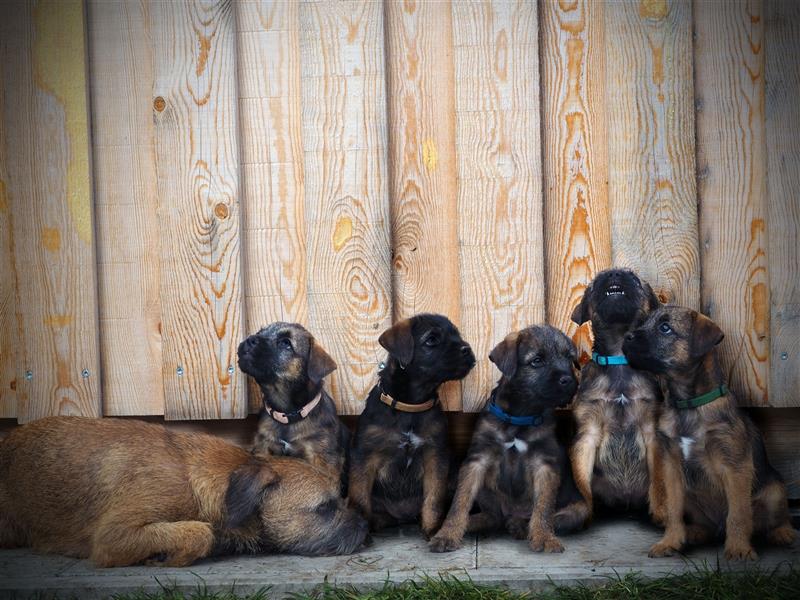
x,y
515,469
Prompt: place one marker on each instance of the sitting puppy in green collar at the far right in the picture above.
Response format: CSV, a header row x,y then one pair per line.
x,y
716,470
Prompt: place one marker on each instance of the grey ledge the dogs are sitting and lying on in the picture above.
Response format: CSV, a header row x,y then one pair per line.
x,y
605,550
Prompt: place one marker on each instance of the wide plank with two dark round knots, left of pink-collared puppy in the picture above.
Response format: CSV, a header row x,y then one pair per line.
x,y
196,119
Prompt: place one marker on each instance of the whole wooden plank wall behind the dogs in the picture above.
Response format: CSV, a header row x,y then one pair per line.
x,y
176,174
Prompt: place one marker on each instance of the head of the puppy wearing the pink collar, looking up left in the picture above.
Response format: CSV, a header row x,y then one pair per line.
x,y
284,352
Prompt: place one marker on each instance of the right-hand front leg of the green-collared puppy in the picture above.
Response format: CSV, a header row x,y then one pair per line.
x,y
737,482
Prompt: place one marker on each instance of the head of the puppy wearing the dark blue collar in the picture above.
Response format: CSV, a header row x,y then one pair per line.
x,y
538,360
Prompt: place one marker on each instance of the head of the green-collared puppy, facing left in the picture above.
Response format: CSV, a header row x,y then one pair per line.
x,y
672,338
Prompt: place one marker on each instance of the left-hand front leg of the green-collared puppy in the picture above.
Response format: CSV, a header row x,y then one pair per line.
x,y
674,536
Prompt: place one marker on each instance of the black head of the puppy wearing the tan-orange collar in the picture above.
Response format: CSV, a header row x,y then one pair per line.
x,y
429,347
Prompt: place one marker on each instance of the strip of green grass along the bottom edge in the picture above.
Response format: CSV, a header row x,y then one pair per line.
x,y
703,582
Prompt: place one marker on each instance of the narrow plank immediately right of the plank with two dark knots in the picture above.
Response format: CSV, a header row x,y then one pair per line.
x,y
273,212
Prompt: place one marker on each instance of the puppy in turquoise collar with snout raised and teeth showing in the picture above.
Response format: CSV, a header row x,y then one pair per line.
x,y
615,453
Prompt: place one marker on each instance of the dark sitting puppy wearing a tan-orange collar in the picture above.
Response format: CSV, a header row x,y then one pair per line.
x,y
399,459
